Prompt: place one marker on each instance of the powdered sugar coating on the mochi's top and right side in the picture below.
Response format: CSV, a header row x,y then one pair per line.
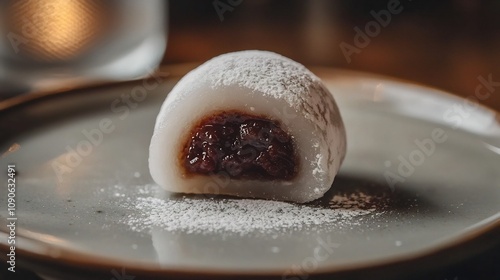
x,y
281,78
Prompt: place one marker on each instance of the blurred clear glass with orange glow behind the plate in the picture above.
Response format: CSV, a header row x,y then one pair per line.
x,y
46,43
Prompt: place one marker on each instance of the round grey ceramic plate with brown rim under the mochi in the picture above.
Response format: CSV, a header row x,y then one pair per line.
x,y
445,202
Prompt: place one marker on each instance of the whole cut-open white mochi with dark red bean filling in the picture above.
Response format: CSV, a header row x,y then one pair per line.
x,y
250,124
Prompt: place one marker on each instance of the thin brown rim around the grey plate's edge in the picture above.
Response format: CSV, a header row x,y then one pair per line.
x,y
68,258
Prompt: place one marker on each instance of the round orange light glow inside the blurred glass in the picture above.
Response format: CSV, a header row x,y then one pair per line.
x,y
55,29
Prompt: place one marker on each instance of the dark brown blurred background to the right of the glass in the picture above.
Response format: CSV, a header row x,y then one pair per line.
x,y
443,44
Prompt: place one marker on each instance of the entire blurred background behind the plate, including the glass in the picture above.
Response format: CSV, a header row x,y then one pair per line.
x,y
443,44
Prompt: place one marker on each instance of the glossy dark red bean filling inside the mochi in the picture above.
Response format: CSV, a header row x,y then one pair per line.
x,y
242,145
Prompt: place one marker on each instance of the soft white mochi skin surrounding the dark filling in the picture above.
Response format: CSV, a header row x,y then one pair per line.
x,y
257,83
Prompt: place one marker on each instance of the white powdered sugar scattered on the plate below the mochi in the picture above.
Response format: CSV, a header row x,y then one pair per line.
x,y
199,214
